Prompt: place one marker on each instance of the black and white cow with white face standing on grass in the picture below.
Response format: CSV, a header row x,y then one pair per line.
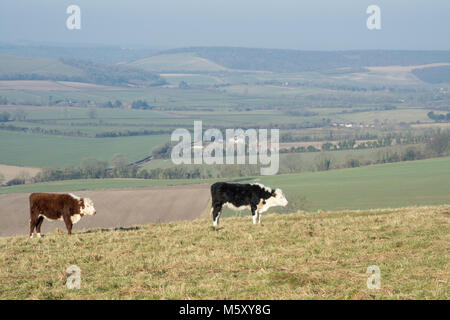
x,y
255,197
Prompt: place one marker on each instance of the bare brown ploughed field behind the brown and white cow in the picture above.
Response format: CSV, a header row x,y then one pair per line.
x,y
115,208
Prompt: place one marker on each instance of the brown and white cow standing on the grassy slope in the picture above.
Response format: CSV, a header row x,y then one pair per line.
x,y
54,206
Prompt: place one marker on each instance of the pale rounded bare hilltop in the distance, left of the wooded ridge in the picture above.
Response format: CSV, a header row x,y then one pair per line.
x,y
177,62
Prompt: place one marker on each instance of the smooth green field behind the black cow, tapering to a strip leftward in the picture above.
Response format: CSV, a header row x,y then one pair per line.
x,y
423,182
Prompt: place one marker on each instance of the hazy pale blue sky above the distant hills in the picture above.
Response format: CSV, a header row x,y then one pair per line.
x,y
293,24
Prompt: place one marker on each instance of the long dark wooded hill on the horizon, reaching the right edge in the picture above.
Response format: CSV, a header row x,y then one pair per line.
x,y
278,60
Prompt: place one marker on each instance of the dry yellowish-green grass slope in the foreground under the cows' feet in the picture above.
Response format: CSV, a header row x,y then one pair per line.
x,y
294,256
